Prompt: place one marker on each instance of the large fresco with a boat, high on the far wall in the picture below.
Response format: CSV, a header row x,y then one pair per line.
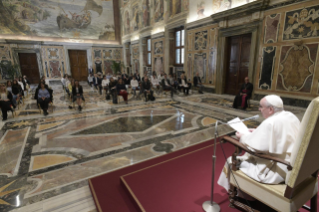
x,y
81,19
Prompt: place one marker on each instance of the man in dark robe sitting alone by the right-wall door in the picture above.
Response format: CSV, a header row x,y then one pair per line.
x,y
244,94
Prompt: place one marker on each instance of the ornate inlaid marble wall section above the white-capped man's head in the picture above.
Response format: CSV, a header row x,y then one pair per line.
x,y
289,51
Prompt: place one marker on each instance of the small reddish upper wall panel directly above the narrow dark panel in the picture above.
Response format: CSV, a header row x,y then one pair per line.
x,y
272,24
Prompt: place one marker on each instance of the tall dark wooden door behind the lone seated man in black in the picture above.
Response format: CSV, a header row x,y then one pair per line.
x,y
237,62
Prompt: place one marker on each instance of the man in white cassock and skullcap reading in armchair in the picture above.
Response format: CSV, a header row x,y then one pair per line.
x,y
275,136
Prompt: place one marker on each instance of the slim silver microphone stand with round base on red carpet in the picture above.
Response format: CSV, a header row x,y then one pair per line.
x,y
210,205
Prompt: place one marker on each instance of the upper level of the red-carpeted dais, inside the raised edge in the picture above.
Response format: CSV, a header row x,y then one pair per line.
x,y
179,184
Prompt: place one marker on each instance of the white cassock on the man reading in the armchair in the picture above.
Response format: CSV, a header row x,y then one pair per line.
x,y
275,136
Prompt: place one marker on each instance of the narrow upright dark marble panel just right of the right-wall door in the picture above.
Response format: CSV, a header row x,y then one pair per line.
x,y
267,67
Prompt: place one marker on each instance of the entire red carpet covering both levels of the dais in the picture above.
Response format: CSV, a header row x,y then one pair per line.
x,y
182,184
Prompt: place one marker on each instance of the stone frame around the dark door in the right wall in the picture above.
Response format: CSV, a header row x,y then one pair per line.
x,y
254,28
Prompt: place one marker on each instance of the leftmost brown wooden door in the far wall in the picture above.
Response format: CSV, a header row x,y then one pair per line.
x,y
29,67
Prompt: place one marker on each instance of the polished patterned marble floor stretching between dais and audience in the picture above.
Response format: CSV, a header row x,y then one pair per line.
x,y
46,160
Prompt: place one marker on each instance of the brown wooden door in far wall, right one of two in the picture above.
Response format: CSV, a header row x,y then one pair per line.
x,y
78,64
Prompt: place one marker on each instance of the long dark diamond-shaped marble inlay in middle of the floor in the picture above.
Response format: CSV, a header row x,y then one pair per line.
x,y
124,124
